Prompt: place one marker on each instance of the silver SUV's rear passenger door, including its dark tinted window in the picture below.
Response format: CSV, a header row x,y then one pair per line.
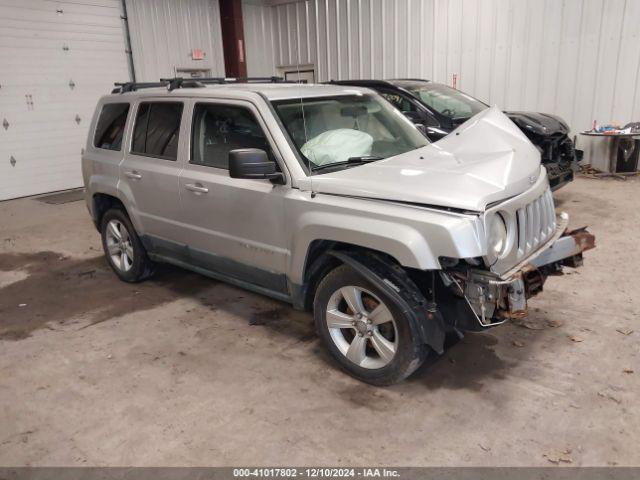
x,y
149,174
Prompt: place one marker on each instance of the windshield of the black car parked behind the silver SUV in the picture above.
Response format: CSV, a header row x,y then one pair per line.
x,y
448,101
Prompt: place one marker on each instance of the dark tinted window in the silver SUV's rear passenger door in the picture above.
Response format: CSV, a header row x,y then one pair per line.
x,y
157,129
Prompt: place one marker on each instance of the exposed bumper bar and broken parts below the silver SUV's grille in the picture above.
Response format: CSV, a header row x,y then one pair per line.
x,y
494,300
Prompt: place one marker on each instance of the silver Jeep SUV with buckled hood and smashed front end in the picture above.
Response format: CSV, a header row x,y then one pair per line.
x,y
328,198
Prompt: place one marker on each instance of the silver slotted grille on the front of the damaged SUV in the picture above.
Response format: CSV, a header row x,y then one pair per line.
x,y
536,222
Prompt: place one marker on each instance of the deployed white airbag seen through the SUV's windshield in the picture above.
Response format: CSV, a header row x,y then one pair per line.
x,y
339,145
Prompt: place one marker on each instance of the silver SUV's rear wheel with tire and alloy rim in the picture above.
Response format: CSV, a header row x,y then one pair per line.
x,y
122,247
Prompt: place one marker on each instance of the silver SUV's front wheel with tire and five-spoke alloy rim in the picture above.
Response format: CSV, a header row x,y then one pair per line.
x,y
364,330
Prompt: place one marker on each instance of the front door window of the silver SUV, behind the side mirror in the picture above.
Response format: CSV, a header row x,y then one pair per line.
x,y
218,129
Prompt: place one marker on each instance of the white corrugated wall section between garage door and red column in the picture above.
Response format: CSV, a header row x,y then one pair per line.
x,y
164,32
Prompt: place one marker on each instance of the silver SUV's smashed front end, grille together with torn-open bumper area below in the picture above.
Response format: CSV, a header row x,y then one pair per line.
x,y
538,244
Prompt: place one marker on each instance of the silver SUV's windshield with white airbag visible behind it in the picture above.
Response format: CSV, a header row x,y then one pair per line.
x,y
347,130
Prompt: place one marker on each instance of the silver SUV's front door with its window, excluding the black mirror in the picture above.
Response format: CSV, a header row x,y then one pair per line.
x,y
233,226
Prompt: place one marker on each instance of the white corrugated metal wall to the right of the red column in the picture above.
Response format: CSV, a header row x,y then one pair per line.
x,y
579,59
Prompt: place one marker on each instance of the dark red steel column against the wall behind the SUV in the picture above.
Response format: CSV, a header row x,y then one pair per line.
x,y
233,38
